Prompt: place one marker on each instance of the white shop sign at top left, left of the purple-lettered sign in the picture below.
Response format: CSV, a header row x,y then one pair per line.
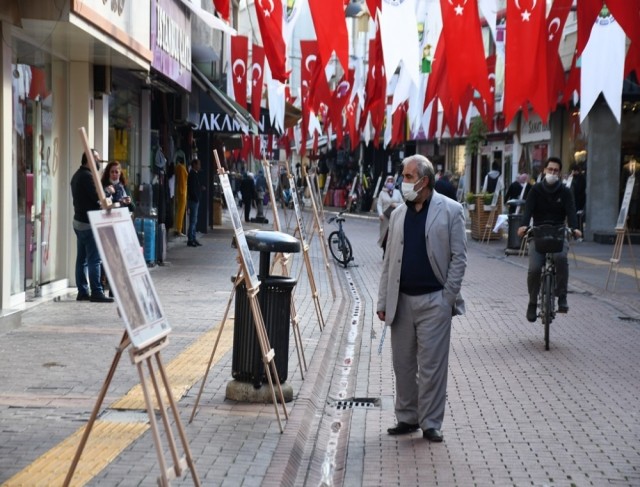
x,y
126,21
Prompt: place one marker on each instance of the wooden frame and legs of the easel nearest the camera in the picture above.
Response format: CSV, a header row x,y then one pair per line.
x,y
138,357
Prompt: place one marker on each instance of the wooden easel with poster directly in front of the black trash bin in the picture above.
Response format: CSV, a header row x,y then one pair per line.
x,y
252,284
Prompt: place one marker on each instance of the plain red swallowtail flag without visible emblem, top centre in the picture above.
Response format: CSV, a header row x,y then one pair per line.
x,y
331,31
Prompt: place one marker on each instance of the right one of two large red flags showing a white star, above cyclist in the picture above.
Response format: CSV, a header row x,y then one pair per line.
x,y
526,59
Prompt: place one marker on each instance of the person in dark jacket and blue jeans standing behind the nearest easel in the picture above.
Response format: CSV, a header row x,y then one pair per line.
x,y
85,199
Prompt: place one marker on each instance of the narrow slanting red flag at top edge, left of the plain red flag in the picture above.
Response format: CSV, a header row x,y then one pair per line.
x,y
270,17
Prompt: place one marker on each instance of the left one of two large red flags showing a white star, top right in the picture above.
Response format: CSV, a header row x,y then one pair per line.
x,y
465,66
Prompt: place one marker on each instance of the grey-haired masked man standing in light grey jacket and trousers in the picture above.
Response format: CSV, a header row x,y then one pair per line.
x,y
418,295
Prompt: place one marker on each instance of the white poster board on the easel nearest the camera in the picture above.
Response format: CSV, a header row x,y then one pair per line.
x,y
128,276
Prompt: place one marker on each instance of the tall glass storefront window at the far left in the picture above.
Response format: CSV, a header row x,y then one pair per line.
x,y
40,185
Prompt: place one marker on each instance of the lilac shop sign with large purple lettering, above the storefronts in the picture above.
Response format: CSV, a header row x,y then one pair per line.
x,y
171,41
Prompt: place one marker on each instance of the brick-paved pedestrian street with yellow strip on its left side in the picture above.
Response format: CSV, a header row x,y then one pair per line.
x,y
516,414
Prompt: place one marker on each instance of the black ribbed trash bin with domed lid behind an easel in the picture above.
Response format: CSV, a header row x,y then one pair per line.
x,y
274,298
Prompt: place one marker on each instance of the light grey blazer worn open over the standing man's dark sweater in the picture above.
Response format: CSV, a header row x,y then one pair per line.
x,y
446,249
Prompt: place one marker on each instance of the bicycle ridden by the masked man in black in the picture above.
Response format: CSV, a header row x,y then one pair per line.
x,y
548,240
